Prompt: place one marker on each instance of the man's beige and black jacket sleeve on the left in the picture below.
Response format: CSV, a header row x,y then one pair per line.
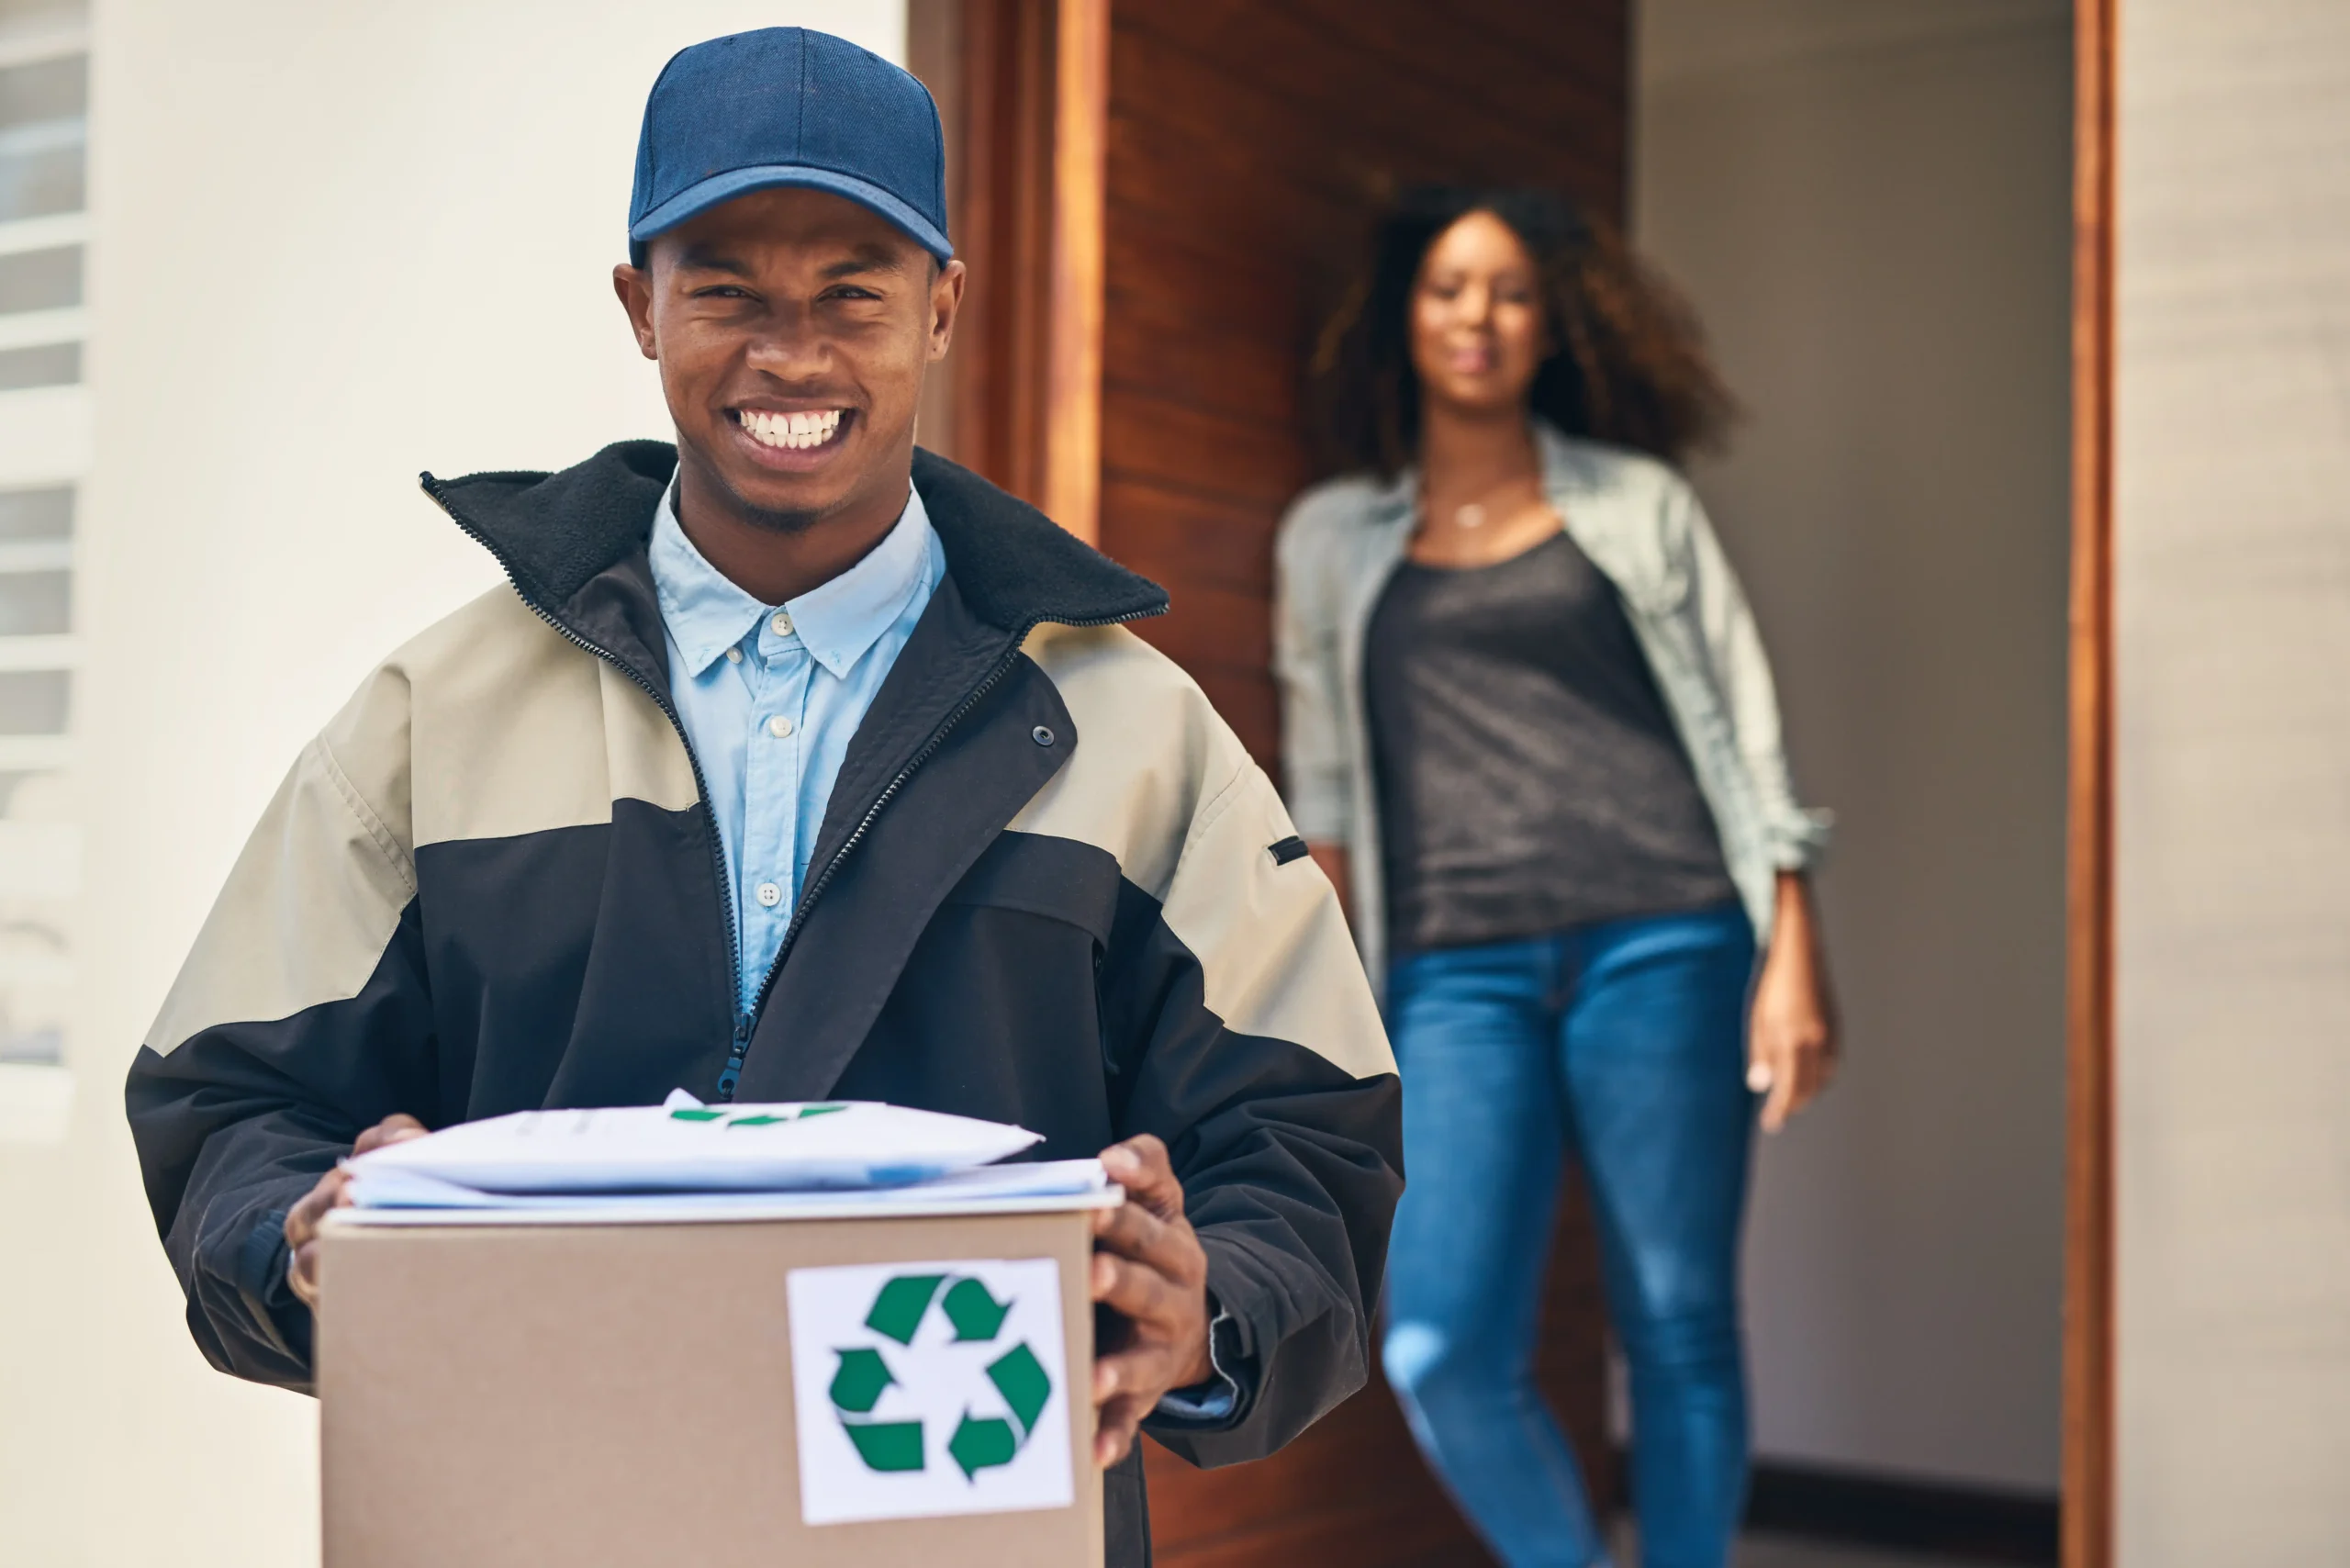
x,y
297,1021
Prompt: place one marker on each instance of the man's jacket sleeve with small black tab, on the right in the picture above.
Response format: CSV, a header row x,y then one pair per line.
x,y
1249,1040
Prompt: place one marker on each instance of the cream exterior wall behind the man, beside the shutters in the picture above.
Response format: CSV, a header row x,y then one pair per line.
x,y
335,246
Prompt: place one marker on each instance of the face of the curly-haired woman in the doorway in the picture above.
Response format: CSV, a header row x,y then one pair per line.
x,y
1477,319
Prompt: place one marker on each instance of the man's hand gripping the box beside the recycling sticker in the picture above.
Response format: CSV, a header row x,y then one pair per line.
x,y
1153,1273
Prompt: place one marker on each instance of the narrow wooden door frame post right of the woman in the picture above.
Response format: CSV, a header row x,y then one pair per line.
x,y
2088,1315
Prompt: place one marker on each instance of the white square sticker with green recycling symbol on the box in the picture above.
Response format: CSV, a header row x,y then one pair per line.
x,y
929,1388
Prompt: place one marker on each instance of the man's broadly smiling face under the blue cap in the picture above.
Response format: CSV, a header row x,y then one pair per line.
x,y
793,330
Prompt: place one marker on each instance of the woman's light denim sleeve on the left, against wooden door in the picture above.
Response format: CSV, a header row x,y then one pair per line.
x,y
1315,763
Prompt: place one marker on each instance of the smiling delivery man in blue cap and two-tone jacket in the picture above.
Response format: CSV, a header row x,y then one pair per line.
x,y
795,763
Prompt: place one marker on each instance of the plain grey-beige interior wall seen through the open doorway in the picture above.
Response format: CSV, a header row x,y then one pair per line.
x,y
1869,206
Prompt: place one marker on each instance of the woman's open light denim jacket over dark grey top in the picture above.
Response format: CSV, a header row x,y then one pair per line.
x,y
1644,528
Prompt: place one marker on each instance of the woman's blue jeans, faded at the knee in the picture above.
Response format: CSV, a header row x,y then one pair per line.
x,y
1627,1045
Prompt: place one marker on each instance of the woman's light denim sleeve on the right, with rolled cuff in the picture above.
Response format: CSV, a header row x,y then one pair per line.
x,y
1733,650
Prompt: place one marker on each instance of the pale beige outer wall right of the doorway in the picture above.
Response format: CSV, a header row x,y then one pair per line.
x,y
2231,561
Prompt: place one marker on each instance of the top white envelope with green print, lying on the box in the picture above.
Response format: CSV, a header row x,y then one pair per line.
x,y
701,1148
